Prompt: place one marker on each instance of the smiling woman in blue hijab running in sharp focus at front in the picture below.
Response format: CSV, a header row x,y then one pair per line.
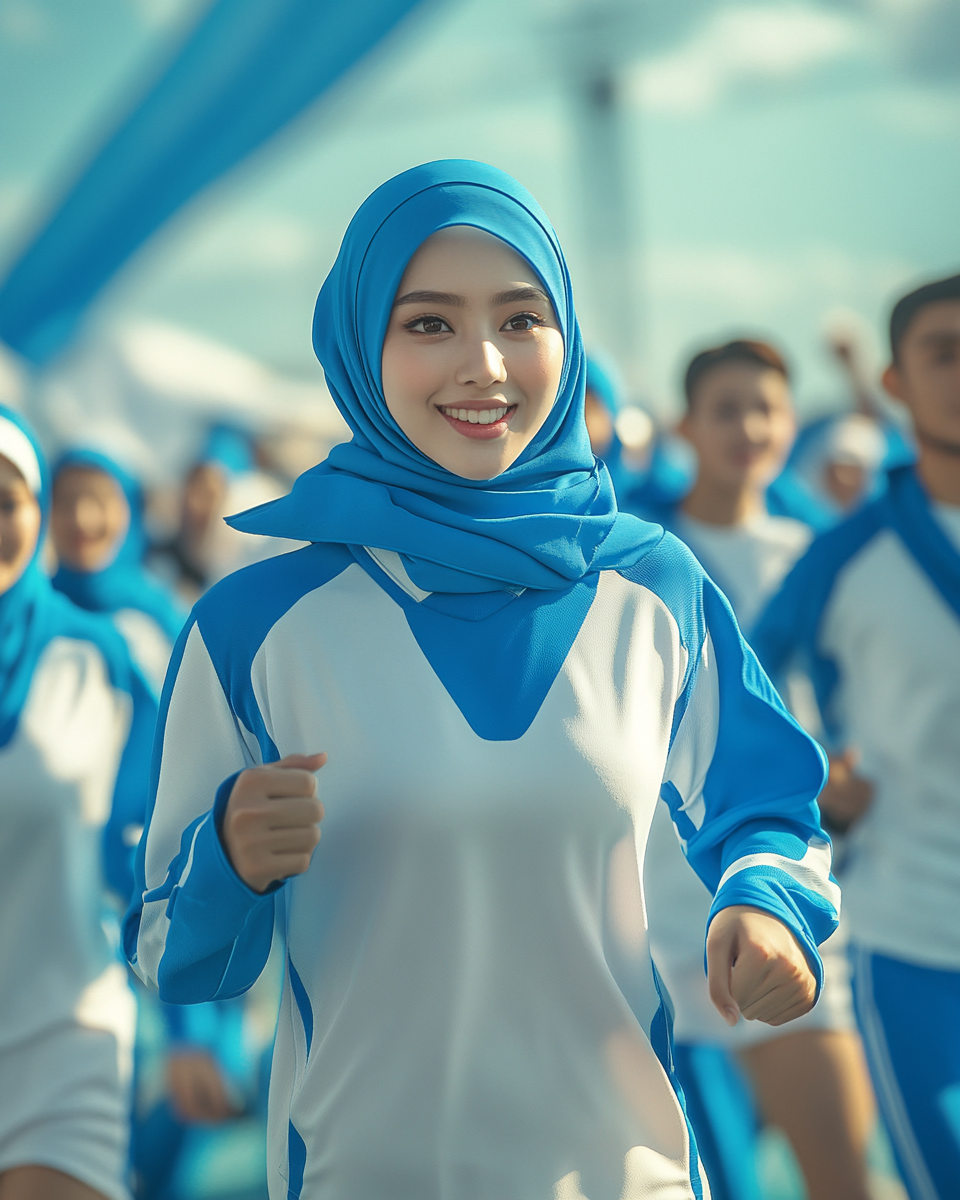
x,y
507,674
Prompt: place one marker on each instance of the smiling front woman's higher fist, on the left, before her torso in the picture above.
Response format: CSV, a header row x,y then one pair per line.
x,y
273,820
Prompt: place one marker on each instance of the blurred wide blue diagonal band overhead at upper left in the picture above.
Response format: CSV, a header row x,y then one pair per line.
x,y
247,70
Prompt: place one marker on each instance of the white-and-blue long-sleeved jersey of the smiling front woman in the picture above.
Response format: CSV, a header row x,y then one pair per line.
x,y
470,1007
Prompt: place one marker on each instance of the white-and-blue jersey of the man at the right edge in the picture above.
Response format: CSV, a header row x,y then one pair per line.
x,y
874,613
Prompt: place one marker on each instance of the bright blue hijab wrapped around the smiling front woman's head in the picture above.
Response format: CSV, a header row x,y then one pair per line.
x,y
549,521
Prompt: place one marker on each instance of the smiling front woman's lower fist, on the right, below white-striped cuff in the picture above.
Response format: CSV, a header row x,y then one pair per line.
x,y
755,967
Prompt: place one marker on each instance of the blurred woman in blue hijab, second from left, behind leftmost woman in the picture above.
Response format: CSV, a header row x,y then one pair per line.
x,y
100,541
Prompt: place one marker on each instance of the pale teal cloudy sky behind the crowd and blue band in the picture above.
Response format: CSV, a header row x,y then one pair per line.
x,y
788,161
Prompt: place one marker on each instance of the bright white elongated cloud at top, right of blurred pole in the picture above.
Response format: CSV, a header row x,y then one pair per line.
x,y
745,43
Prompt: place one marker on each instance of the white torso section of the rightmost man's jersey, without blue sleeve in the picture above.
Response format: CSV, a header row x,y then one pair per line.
x,y
897,644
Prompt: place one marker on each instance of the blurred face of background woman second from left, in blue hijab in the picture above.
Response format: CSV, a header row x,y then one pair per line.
x,y
89,518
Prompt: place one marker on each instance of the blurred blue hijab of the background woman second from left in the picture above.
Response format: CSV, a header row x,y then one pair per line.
x,y
124,583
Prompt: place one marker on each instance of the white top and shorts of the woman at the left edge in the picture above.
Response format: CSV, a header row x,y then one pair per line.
x,y
67,1012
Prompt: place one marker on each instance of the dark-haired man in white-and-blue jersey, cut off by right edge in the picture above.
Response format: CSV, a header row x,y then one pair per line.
x,y
874,610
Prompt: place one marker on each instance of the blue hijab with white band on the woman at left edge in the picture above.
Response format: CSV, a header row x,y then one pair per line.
x,y
32,614
